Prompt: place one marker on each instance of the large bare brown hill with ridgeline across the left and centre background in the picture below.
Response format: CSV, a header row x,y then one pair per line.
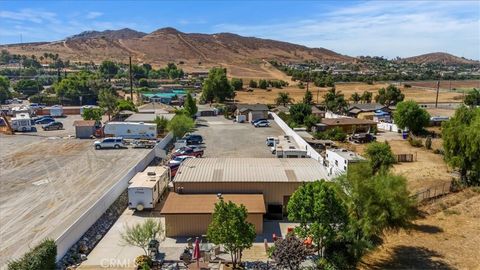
x,y
196,51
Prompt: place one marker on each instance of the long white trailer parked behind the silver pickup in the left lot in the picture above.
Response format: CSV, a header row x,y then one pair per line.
x,y
131,130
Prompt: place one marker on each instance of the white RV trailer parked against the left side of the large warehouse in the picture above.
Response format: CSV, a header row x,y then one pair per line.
x,y
147,187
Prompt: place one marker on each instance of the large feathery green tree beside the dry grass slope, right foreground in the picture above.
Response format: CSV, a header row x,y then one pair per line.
x,y
376,203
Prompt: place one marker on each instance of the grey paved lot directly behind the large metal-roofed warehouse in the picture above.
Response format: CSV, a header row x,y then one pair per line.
x,y
225,138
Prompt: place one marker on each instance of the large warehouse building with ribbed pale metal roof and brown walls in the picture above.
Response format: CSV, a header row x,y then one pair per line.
x,y
275,178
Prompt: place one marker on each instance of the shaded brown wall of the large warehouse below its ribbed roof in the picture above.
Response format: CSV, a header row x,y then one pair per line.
x,y
273,193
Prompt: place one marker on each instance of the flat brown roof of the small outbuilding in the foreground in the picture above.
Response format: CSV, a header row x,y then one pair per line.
x,y
205,203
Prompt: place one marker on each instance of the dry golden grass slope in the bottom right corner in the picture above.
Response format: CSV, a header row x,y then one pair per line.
x,y
447,238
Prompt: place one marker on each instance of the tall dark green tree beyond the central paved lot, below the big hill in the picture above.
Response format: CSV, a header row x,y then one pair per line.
x,y
216,86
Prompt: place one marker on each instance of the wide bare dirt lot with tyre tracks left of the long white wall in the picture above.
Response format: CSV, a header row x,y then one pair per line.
x,y
47,182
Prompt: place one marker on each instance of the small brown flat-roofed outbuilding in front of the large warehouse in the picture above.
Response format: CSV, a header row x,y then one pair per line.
x,y
190,214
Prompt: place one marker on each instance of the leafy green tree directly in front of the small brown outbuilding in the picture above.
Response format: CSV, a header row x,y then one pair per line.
x,y
230,227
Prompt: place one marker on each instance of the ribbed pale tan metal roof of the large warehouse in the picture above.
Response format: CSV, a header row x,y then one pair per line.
x,y
250,170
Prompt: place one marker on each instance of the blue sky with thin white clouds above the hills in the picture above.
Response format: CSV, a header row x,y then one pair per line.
x,y
382,28
